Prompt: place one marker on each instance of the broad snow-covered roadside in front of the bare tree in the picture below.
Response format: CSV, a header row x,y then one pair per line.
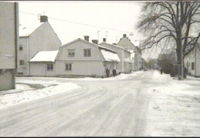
x,y
174,107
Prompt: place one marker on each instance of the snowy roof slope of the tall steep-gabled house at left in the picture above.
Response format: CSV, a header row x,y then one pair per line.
x,y
28,29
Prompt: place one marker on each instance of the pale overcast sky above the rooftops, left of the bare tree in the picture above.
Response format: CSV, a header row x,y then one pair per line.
x,y
74,19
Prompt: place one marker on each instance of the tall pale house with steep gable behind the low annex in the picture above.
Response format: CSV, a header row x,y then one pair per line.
x,y
33,39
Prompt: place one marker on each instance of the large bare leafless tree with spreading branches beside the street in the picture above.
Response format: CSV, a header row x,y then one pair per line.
x,y
173,22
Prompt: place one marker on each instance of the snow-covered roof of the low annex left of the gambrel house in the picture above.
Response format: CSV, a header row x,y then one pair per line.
x,y
45,56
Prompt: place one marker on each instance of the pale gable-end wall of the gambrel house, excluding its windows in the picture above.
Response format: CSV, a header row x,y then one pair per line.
x,y
83,66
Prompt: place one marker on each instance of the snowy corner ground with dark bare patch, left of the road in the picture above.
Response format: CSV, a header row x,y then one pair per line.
x,y
28,90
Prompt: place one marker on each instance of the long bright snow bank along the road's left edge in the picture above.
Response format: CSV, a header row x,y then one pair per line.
x,y
25,96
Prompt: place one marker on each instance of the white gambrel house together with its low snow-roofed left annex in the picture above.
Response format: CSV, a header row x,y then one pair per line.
x,y
77,58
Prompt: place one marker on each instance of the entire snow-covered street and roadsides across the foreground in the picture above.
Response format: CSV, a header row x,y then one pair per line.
x,y
138,104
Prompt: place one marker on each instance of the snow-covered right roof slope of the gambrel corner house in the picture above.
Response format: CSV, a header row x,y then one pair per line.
x,y
110,56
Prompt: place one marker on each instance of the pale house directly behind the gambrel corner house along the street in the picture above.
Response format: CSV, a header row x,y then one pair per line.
x,y
126,61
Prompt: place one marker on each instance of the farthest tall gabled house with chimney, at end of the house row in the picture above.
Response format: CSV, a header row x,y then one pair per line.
x,y
126,43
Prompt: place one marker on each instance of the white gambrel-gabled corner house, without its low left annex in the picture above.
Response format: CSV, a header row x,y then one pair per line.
x,y
83,58
